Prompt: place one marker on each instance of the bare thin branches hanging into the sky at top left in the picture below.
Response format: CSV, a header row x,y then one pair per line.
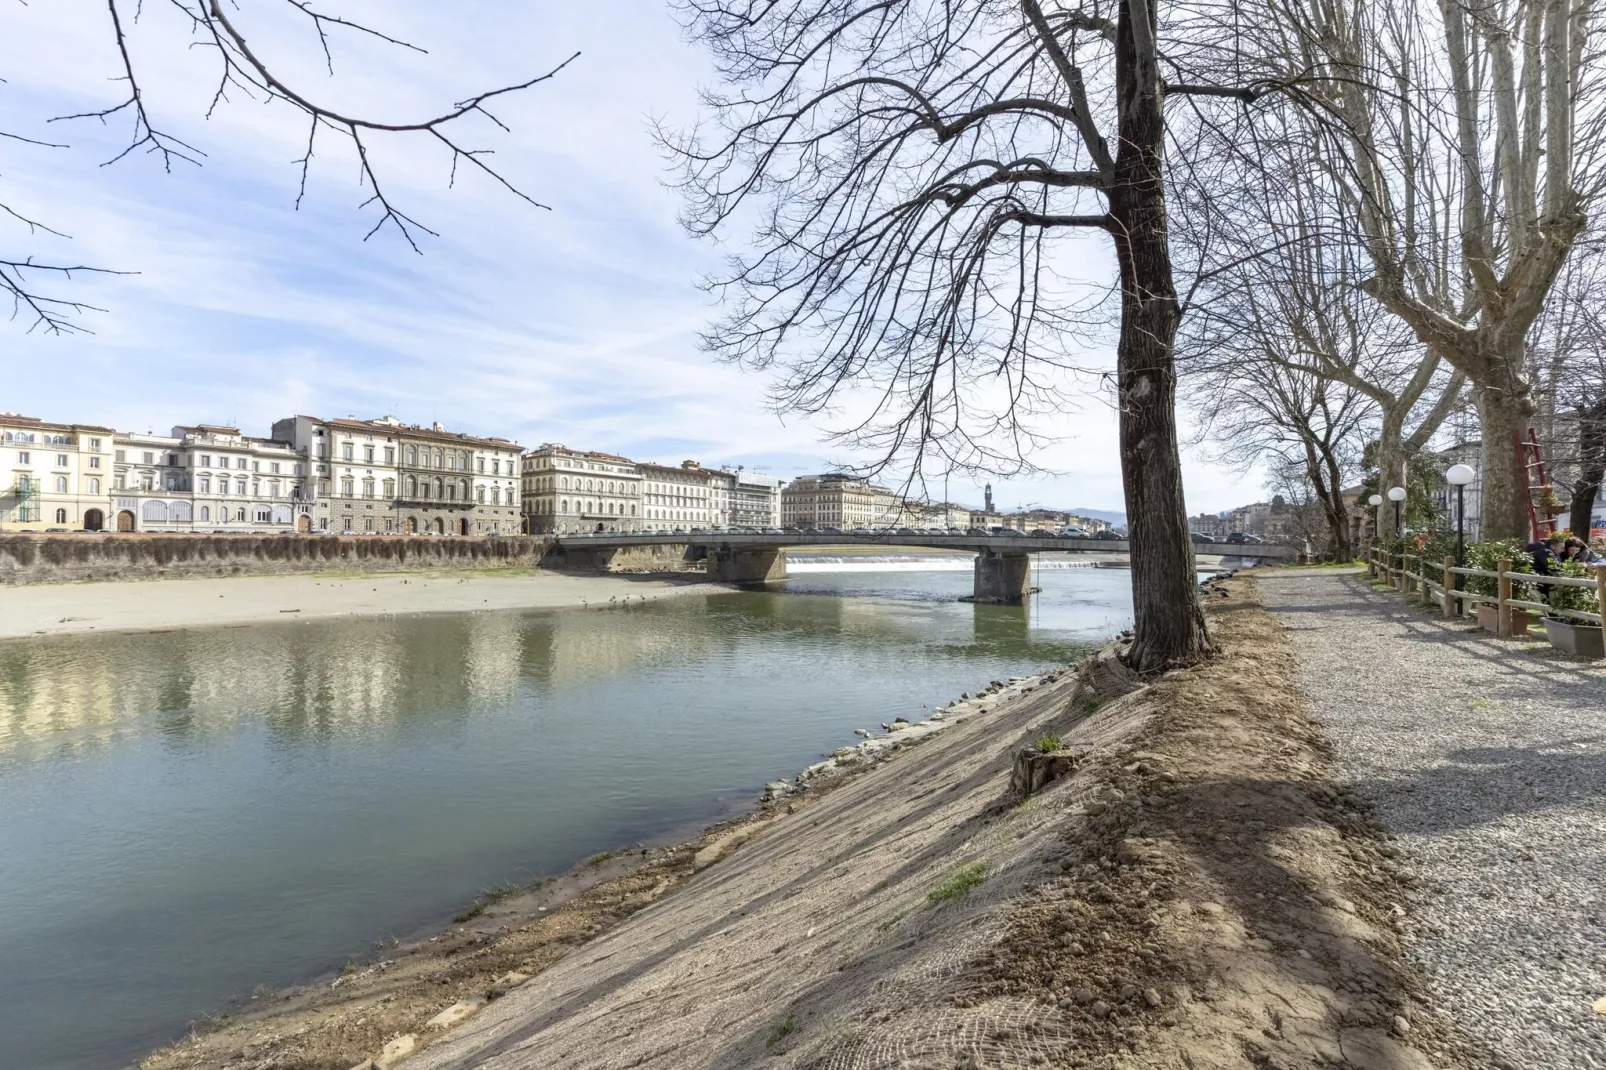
x,y
242,73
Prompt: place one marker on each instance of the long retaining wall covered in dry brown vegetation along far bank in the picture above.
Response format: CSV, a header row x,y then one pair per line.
x,y
63,558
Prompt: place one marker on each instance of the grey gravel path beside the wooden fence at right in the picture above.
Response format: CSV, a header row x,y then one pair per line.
x,y
1488,761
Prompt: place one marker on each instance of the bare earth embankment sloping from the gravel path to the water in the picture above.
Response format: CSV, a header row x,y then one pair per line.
x,y
1196,891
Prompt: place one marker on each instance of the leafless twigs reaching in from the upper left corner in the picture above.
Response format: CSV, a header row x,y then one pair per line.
x,y
221,38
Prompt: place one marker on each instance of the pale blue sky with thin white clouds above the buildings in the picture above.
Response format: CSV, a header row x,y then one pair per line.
x,y
573,324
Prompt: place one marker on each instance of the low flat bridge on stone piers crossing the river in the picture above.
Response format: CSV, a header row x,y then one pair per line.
x,y
1003,568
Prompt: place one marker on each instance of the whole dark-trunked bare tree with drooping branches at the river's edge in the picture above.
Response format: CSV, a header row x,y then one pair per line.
x,y
908,169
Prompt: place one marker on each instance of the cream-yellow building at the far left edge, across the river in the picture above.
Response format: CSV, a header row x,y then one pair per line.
x,y
54,476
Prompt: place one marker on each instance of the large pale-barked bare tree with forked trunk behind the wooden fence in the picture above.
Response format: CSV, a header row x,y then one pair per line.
x,y
1462,144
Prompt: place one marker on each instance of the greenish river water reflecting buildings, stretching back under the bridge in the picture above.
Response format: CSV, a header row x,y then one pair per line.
x,y
187,815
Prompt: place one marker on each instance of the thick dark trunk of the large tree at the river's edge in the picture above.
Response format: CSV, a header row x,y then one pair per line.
x,y
1170,626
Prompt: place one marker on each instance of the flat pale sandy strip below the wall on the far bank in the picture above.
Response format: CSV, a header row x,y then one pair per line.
x,y
206,603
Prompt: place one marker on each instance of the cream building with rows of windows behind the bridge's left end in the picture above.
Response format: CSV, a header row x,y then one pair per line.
x,y
581,491
